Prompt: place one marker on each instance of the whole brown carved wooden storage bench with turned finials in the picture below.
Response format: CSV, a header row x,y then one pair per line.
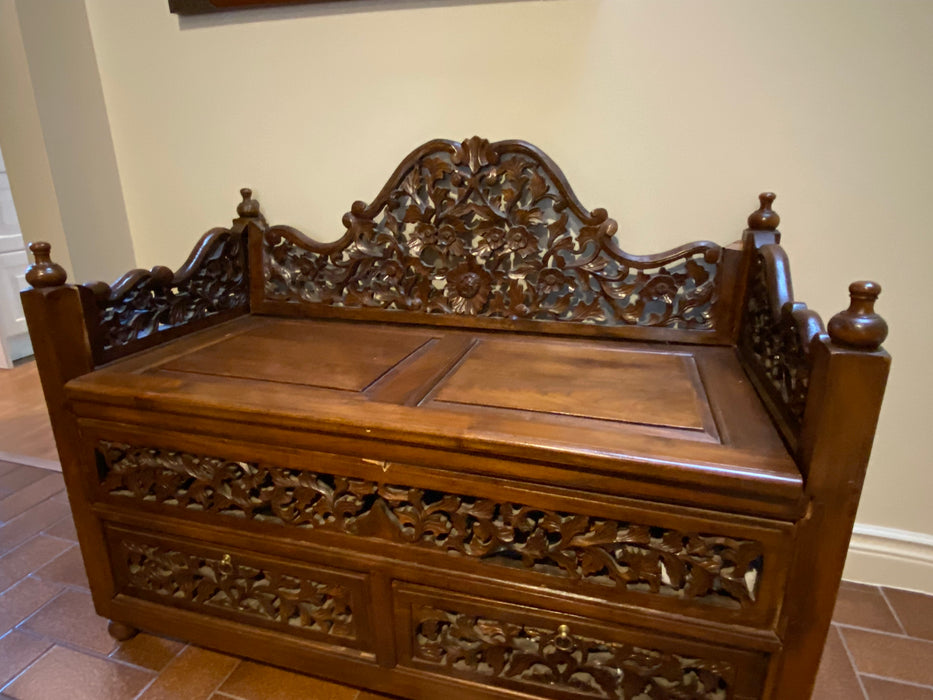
x,y
472,449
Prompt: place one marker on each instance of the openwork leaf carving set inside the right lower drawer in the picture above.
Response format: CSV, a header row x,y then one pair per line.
x,y
555,663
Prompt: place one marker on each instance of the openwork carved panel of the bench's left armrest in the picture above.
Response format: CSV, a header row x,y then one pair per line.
x,y
143,303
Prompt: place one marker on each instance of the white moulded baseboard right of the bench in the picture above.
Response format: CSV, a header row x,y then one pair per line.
x,y
886,556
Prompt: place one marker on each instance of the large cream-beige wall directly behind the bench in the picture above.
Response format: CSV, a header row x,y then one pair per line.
x,y
672,115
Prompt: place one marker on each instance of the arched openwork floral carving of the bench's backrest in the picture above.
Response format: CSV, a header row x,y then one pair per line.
x,y
492,230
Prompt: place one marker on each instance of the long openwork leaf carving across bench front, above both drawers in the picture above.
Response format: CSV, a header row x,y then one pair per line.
x,y
706,568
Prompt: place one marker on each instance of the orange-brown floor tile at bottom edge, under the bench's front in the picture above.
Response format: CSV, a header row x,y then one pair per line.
x,y
253,681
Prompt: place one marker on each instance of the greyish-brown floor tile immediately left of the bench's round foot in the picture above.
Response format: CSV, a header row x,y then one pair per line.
x,y
71,619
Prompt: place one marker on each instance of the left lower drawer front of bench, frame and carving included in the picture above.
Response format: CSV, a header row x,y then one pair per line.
x,y
315,603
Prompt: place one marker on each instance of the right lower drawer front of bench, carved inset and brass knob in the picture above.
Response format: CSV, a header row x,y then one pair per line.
x,y
549,655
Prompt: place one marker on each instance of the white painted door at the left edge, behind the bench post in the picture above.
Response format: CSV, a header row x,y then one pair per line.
x,y
14,338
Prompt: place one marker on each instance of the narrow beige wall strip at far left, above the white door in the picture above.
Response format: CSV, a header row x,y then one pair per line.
x,y
23,145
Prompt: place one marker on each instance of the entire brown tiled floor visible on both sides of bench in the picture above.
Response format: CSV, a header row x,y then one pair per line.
x,y
53,646
